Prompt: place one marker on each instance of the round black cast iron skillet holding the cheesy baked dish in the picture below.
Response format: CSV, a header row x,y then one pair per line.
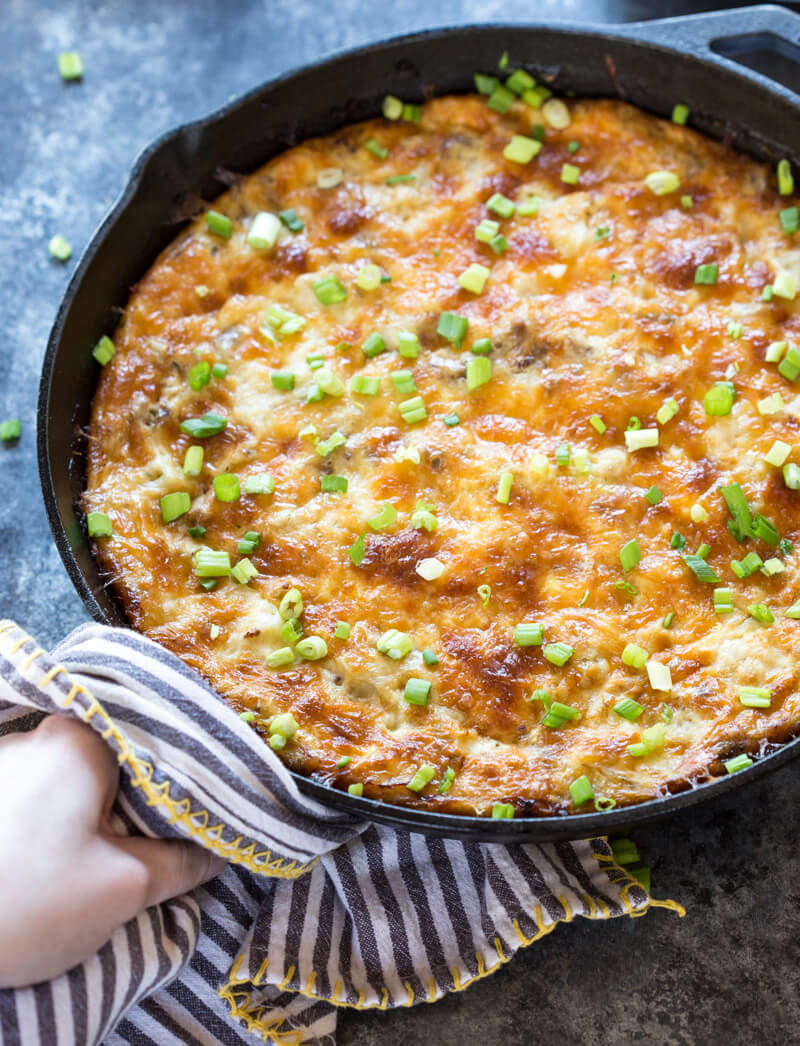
x,y
652,64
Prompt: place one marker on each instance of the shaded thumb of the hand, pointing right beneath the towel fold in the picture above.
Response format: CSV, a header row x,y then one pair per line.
x,y
171,867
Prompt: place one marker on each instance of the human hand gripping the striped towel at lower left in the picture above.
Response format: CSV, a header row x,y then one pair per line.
x,y
67,880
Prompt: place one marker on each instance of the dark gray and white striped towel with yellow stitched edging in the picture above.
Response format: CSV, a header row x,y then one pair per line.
x,y
314,912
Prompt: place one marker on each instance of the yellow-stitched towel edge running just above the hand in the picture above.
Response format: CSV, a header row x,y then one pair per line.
x,y
195,823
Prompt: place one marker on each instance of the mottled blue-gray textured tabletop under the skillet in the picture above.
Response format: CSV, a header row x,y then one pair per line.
x,y
725,974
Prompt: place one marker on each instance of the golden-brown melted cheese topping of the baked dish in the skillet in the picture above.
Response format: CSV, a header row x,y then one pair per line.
x,y
581,324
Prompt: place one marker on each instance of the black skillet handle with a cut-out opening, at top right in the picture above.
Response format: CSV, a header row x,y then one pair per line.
x,y
762,43
